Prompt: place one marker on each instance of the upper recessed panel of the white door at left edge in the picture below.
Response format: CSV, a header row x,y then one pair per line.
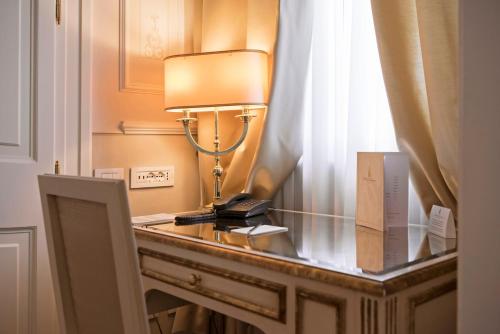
x,y
16,93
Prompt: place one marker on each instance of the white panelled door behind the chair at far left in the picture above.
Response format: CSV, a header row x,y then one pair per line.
x,y
27,141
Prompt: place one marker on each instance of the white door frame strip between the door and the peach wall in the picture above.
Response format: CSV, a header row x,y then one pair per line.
x,y
74,82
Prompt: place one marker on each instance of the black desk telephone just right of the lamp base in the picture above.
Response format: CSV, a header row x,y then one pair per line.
x,y
240,206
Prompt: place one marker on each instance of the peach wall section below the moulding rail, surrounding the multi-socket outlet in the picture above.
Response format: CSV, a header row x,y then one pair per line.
x,y
126,151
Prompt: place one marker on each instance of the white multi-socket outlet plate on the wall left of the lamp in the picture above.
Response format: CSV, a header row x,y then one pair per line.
x,y
151,177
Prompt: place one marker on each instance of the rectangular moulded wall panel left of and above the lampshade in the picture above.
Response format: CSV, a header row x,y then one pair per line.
x,y
150,30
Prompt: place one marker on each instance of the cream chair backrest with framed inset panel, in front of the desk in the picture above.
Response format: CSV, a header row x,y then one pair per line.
x,y
93,255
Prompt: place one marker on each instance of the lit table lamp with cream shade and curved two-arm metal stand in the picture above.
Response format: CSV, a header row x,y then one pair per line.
x,y
214,82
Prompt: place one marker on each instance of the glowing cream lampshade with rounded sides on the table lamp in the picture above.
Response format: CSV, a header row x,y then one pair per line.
x,y
222,80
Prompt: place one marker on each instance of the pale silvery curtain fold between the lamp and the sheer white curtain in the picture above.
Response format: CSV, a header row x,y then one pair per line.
x,y
280,146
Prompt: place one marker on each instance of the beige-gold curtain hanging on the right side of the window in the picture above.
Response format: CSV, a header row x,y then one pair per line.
x,y
417,41
